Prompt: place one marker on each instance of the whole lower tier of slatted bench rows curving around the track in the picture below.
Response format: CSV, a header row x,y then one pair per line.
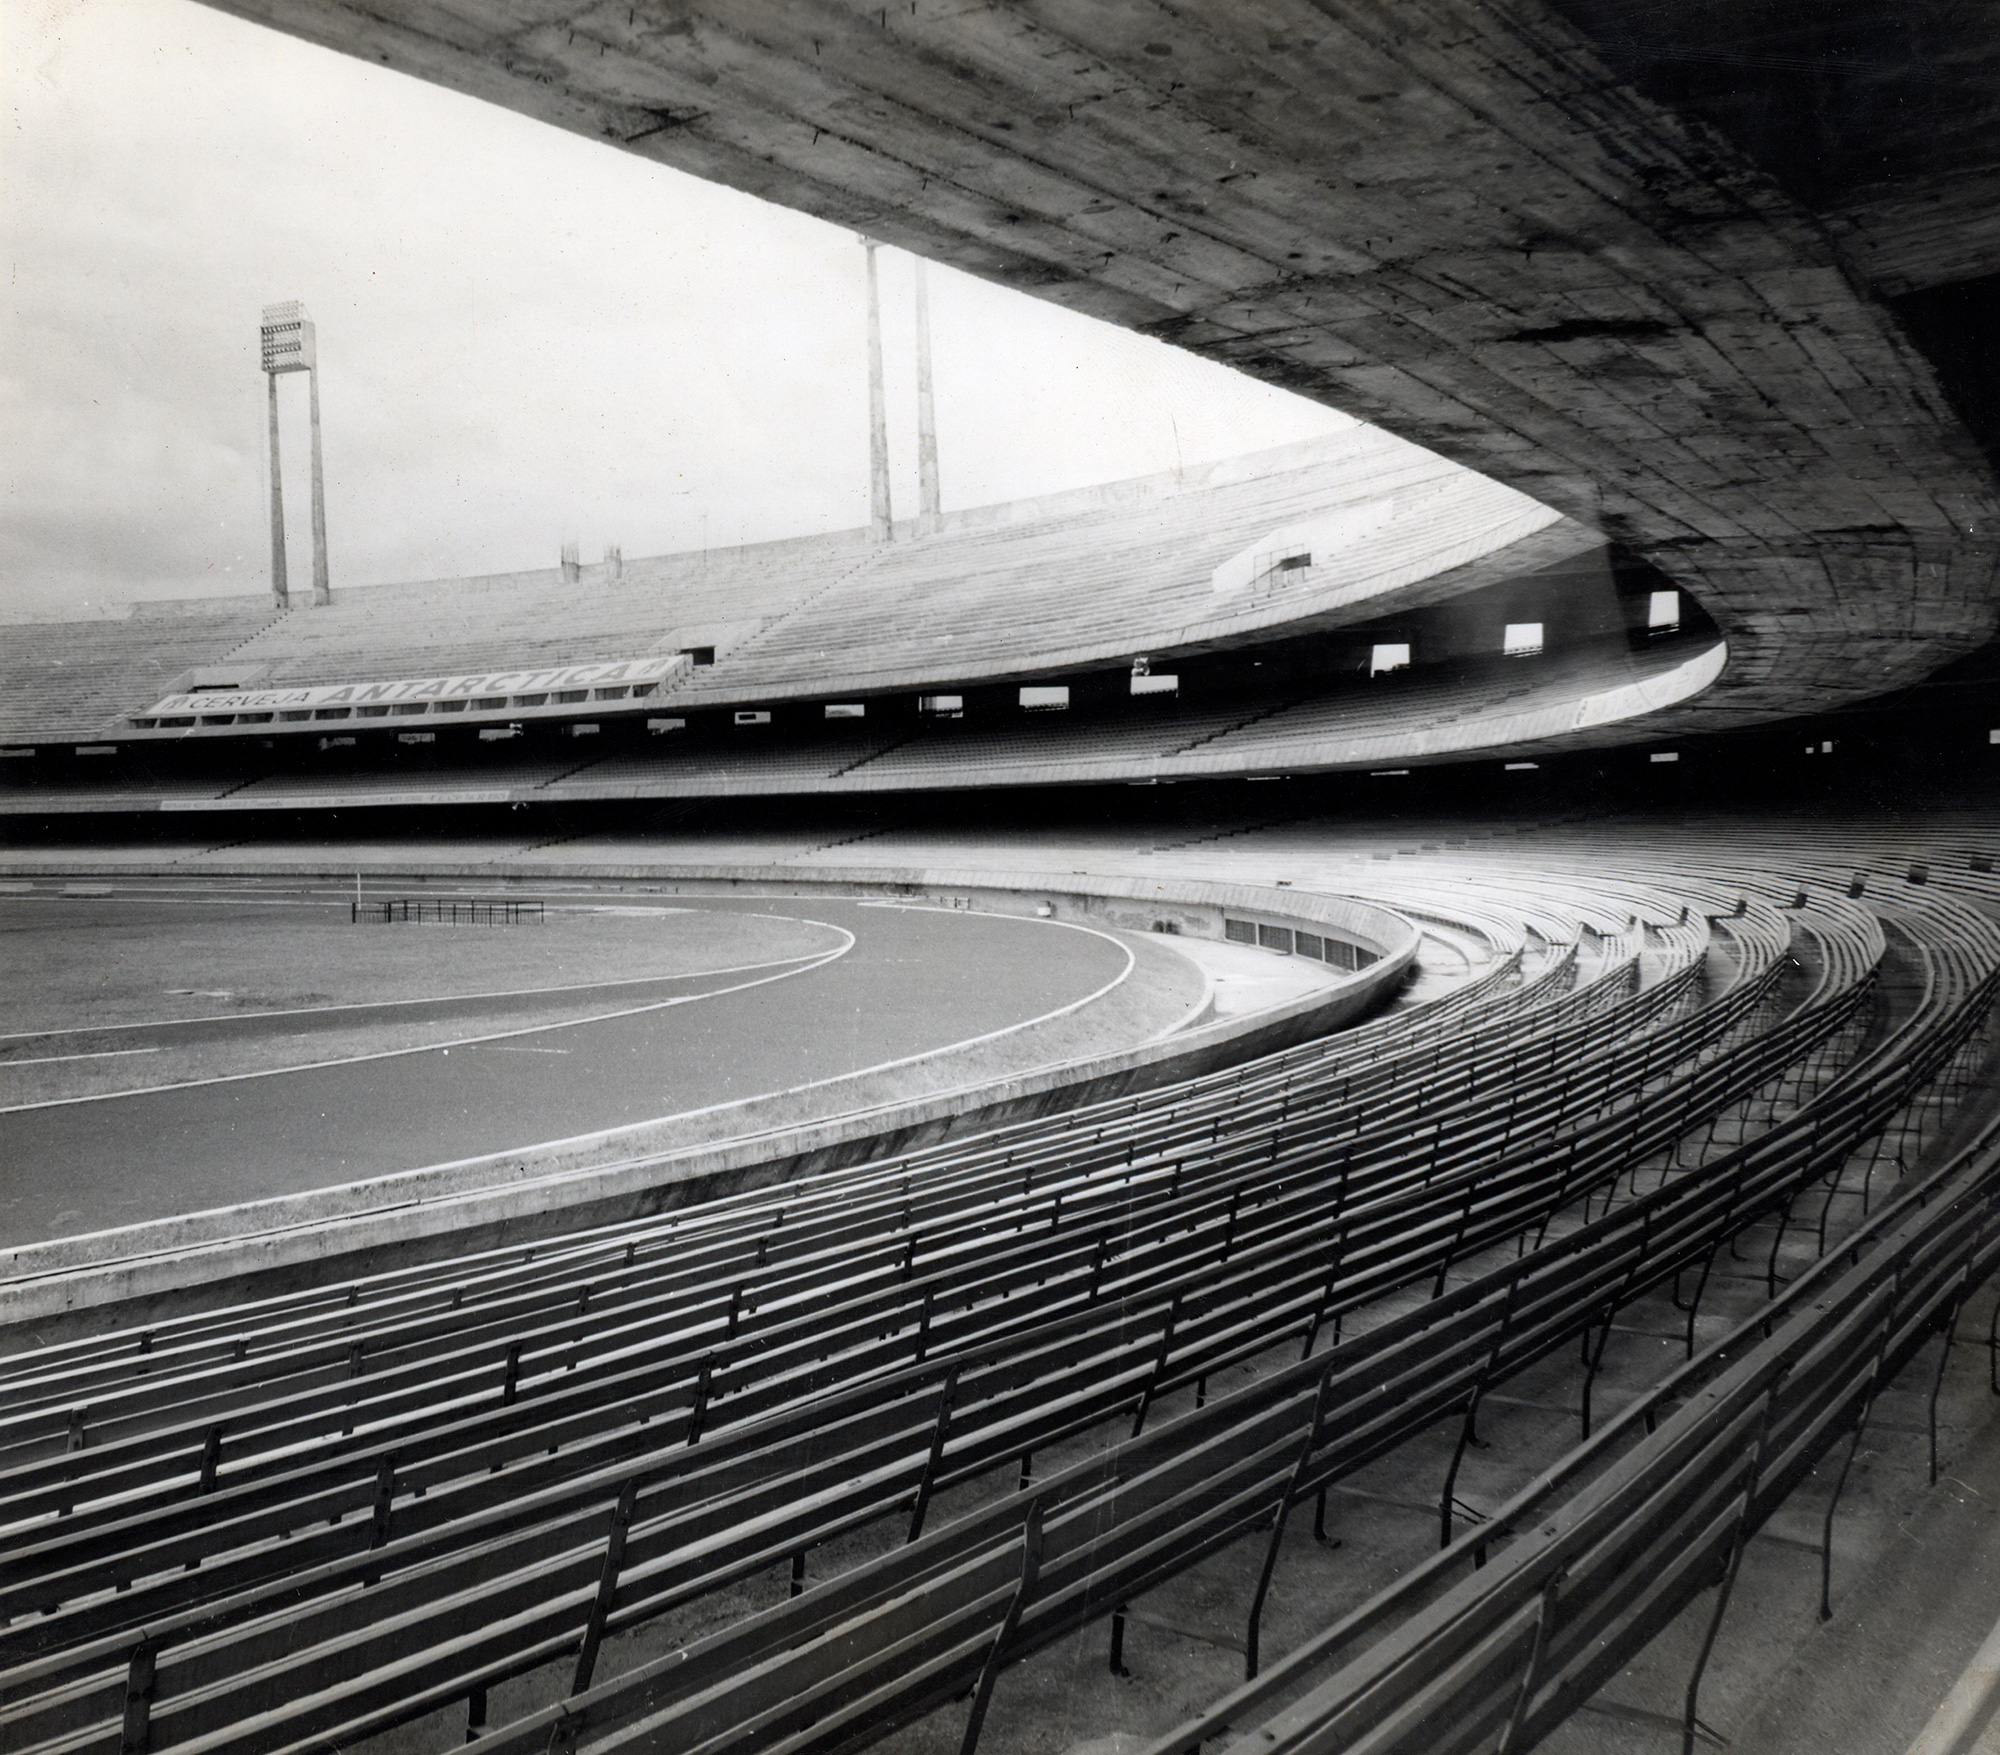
x,y
1003,1380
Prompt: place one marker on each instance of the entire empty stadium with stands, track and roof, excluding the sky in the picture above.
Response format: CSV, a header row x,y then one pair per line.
x,y
1343,1100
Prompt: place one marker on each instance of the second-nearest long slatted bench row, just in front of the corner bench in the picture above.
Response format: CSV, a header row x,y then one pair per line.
x,y
1117,1524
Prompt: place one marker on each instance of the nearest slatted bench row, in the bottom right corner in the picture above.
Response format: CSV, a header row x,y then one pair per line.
x,y
1497,1640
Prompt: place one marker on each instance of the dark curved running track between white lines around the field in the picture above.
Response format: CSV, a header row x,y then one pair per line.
x,y
911,982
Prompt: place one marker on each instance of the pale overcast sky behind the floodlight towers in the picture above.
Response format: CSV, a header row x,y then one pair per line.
x,y
523,335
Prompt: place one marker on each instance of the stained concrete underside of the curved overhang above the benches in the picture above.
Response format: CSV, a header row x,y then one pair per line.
x,y
1519,235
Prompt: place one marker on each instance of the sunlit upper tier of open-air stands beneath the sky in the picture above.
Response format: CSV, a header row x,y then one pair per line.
x,y
1081,579
